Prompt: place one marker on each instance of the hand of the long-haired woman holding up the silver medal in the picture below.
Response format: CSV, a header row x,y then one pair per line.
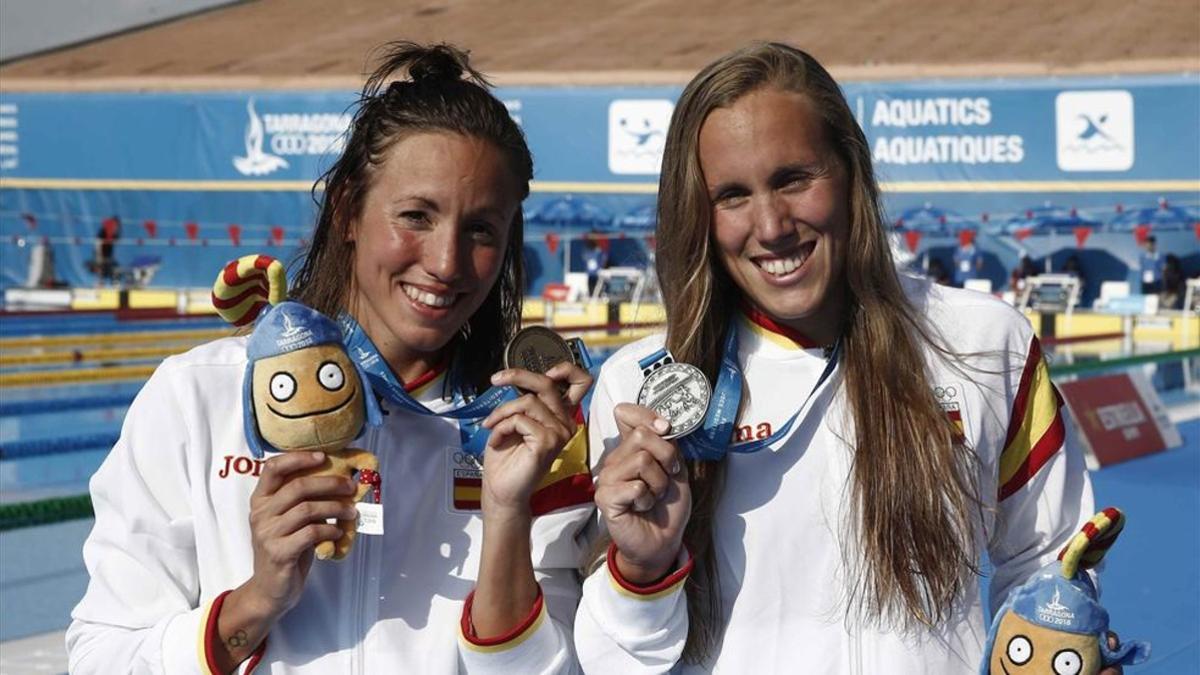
x,y
644,495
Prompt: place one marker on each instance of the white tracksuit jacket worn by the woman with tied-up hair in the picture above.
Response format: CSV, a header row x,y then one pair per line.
x,y
172,534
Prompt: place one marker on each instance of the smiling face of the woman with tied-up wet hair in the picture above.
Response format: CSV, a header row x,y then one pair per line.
x,y
430,242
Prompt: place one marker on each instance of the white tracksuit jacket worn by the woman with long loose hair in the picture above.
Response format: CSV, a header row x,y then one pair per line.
x,y
782,524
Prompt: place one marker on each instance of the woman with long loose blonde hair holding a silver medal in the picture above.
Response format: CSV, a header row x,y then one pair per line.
x,y
871,438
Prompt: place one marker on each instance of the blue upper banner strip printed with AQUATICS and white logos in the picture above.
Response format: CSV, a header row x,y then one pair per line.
x,y
1065,130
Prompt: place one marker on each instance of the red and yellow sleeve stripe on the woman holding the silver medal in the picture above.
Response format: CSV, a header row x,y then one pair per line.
x,y
1036,428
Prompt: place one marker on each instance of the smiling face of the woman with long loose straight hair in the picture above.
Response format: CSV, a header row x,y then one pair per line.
x,y
781,212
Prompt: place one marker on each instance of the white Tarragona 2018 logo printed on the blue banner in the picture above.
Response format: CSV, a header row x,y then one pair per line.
x,y
271,139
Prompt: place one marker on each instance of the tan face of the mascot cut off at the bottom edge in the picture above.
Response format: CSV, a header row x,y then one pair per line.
x,y
1023,648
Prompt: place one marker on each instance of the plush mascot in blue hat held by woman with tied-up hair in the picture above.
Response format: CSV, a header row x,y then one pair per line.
x,y
302,391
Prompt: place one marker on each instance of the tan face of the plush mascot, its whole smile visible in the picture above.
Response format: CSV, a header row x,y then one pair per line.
x,y
309,401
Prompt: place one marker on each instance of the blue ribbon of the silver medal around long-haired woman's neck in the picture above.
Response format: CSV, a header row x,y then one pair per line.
x,y
715,438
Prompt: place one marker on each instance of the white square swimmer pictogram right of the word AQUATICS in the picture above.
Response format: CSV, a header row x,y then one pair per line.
x,y
1095,130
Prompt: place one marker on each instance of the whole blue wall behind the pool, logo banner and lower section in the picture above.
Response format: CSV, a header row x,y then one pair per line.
x,y
982,151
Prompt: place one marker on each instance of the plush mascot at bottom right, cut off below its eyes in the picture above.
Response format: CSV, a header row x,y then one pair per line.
x,y
1054,624
